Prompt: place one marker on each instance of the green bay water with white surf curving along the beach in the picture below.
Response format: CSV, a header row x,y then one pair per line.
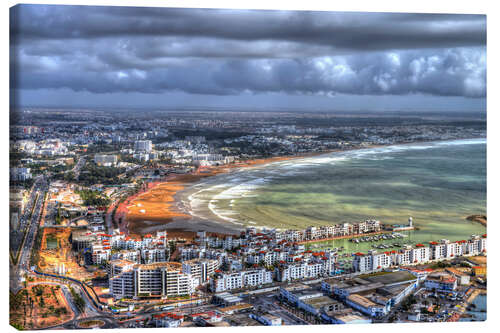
x,y
439,184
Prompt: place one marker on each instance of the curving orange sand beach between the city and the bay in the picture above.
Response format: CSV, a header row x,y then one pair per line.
x,y
169,216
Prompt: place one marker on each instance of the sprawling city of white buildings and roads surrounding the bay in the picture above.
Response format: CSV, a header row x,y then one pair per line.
x,y
76,264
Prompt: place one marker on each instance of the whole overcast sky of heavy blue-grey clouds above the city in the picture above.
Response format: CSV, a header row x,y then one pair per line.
x,y
165,57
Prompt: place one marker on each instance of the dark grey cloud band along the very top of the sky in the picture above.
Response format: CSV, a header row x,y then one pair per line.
x,y
352,31
